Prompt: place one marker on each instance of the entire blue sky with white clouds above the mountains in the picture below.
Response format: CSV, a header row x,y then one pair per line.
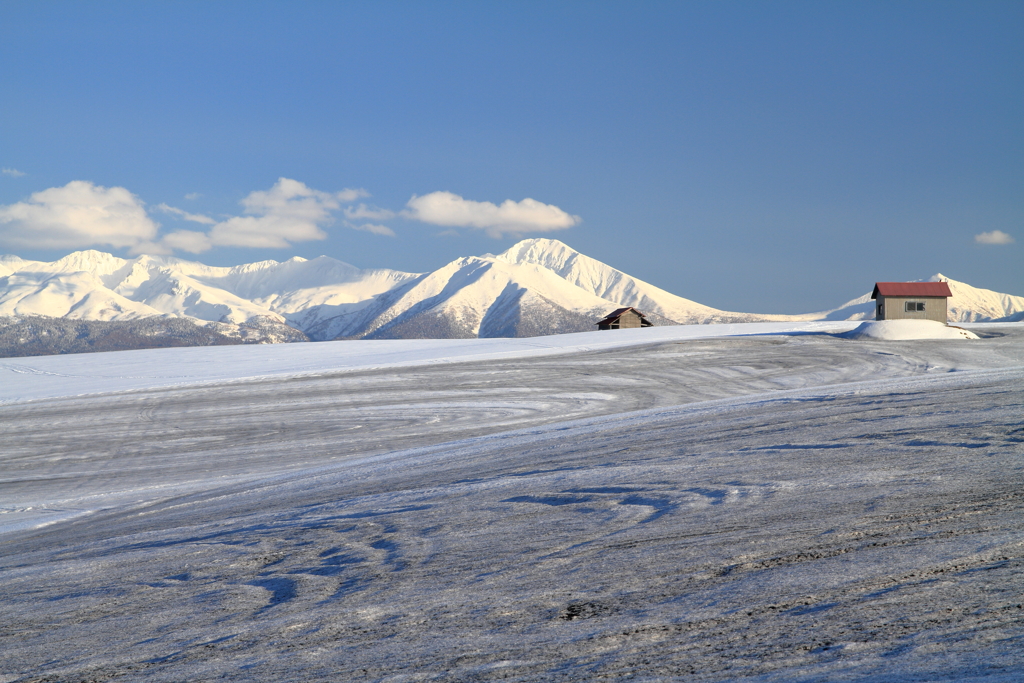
x,y
761,157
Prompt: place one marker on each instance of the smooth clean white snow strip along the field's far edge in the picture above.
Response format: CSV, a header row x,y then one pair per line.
x,y
49,377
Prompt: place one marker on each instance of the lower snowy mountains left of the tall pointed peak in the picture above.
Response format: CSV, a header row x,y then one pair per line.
x,y
95,286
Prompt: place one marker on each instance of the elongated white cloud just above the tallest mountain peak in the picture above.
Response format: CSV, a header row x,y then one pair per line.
x,y
510,218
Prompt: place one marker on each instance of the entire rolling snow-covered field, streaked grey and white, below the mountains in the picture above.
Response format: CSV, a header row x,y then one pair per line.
x,y
778,503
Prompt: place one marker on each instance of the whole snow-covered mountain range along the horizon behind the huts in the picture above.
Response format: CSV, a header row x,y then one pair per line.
x,y
535,288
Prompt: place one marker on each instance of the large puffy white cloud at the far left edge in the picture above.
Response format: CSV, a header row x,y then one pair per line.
x,y
80,215
